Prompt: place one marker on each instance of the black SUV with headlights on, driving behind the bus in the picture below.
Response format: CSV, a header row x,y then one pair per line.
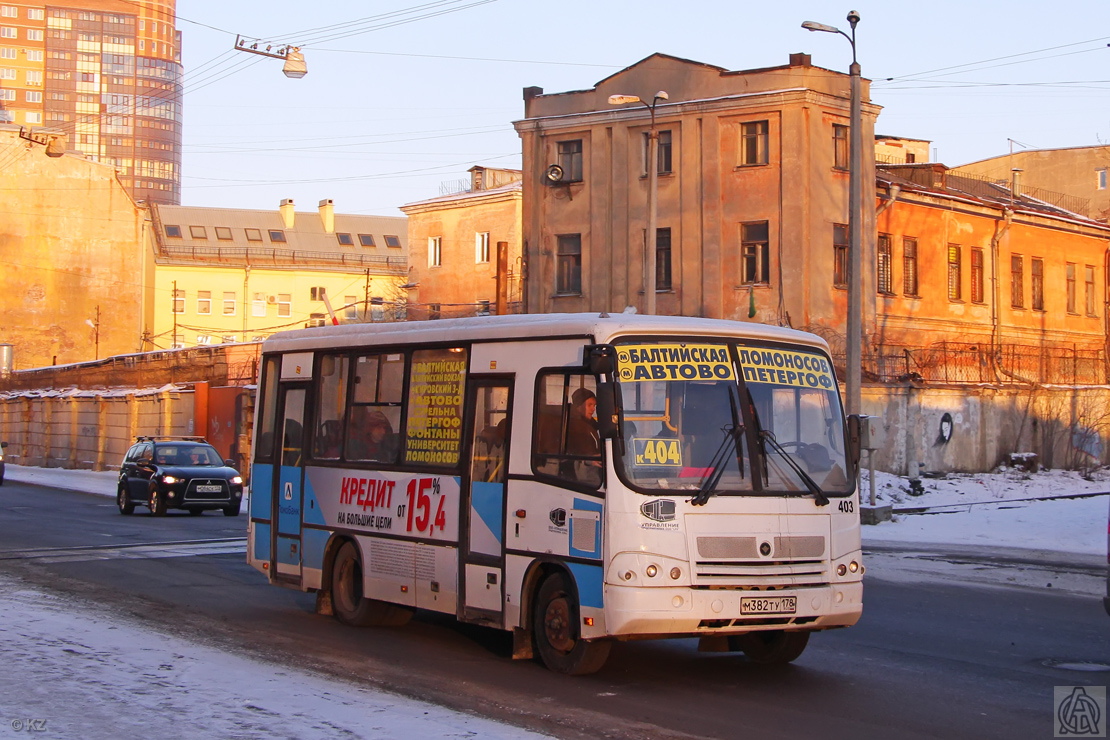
x,y
180,474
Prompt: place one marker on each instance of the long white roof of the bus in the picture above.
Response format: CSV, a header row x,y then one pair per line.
x,y
528,327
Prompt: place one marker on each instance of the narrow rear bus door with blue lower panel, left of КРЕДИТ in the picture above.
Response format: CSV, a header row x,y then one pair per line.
x,y
287,500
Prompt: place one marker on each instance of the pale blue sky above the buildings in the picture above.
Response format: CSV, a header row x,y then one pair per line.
x,y
386,117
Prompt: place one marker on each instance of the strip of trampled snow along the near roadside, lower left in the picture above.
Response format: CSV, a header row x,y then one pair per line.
x,y
76,671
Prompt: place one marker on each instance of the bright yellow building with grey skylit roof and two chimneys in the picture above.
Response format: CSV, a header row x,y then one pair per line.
x,y
238,276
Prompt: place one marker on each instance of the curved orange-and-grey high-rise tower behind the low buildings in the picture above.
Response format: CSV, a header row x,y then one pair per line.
x,y
108,75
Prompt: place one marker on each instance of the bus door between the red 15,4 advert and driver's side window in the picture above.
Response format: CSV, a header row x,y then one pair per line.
x,y
482,548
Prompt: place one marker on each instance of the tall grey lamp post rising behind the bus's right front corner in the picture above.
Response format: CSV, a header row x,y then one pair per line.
x,y
855,320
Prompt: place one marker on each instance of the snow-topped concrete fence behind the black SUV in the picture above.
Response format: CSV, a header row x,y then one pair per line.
x,y
89,430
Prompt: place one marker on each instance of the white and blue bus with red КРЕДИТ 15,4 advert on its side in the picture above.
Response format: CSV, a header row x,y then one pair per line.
x,y
458,467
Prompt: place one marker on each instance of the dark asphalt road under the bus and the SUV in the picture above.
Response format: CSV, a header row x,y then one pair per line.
x,y
933,657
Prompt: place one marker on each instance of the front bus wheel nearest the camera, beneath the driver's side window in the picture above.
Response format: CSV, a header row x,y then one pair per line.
x,y
556,625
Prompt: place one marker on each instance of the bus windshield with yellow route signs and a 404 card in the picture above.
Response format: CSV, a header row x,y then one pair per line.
x,y
702,412
